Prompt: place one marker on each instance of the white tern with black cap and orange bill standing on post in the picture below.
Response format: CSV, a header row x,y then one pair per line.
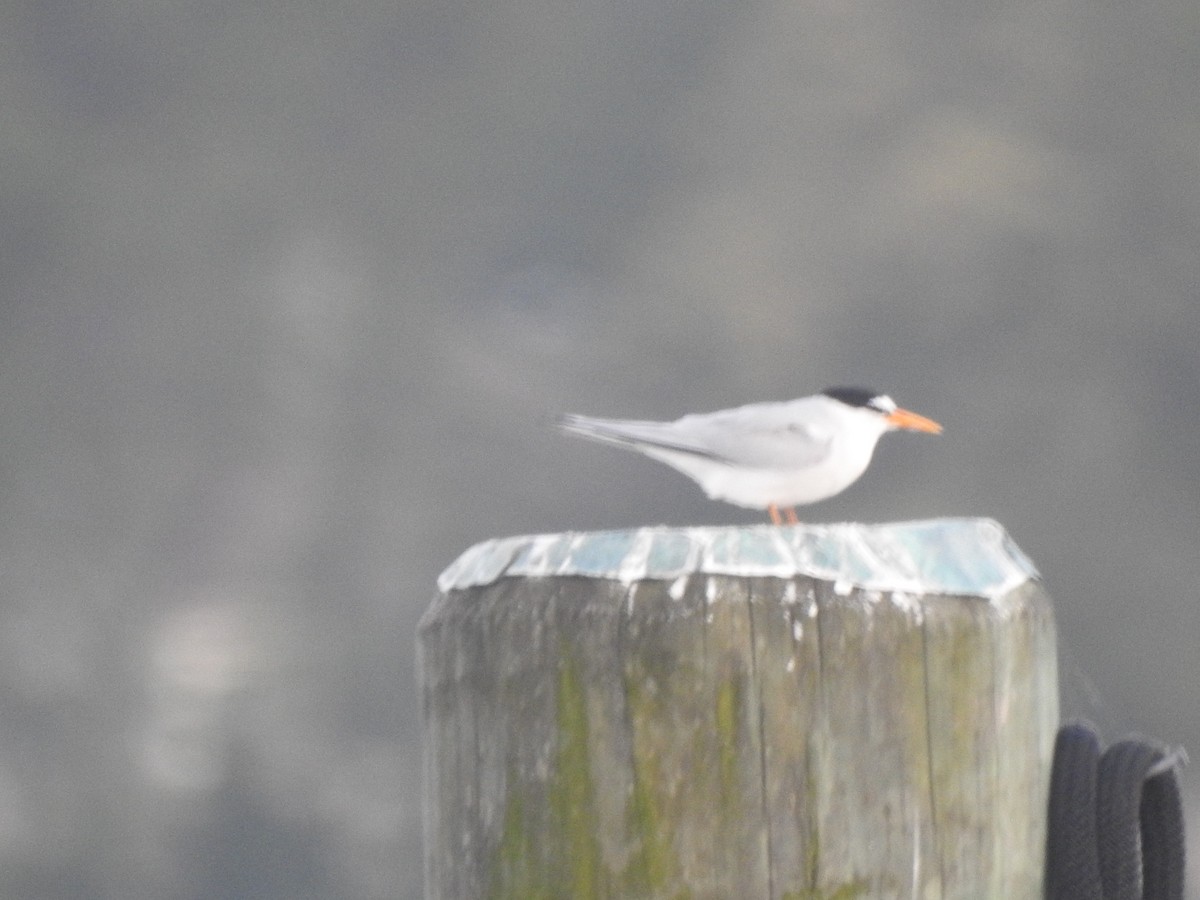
x,y
767,455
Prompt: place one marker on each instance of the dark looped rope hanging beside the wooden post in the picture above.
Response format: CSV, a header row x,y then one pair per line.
x,y
1115,824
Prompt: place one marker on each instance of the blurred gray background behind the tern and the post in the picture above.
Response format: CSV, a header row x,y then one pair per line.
x,y
292,293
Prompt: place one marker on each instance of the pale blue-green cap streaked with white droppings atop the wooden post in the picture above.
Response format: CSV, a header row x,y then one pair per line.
x,y
971,557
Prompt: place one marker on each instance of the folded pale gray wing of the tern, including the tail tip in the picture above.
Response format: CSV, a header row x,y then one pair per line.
x,y
769,436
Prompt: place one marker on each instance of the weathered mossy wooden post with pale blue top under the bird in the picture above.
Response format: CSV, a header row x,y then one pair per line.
x,y
815,712
